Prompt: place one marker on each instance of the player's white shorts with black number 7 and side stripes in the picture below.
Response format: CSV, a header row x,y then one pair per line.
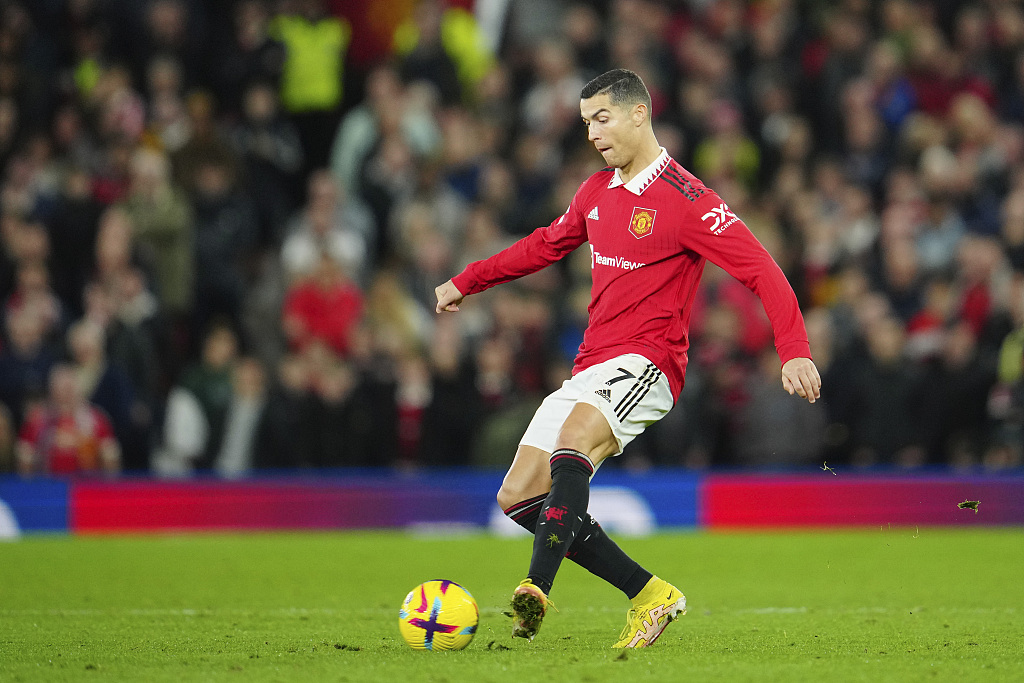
x,y
631,393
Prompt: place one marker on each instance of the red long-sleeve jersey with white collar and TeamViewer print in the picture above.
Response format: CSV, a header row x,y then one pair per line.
x,y
650,240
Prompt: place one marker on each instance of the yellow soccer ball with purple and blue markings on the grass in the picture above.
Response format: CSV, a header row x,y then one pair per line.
x,y
439,615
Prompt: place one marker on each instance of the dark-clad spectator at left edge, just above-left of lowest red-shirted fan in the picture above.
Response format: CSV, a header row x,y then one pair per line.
x,y
25,362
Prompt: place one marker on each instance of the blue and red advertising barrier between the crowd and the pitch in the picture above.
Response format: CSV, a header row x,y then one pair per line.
x,y
446,500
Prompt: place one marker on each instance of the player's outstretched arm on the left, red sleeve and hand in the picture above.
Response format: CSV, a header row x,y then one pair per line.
x,y
541,248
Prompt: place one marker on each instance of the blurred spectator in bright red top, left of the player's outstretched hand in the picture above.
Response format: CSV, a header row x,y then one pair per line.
x,y
325,308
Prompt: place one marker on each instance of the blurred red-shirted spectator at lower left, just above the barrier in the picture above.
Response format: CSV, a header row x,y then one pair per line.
x,y
67,435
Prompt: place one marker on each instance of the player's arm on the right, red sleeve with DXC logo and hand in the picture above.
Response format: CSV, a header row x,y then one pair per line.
x,y
713,231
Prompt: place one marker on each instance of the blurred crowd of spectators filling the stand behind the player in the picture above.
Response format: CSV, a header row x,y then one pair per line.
x,y
224,221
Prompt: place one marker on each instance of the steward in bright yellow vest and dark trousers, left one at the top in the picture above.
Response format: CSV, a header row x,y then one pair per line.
x,y
313,74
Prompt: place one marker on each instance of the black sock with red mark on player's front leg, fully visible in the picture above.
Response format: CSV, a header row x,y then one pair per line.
x,y
562,516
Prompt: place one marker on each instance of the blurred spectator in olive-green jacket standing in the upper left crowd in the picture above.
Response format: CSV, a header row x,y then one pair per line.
x,y
162,230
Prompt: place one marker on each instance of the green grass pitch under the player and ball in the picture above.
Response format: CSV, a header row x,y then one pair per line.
x,y
888,605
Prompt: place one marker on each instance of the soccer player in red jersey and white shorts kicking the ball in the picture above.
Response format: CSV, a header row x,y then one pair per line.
x,y
651,226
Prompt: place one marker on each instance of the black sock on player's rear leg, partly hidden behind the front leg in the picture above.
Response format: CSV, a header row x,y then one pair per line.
x,y
592,549
